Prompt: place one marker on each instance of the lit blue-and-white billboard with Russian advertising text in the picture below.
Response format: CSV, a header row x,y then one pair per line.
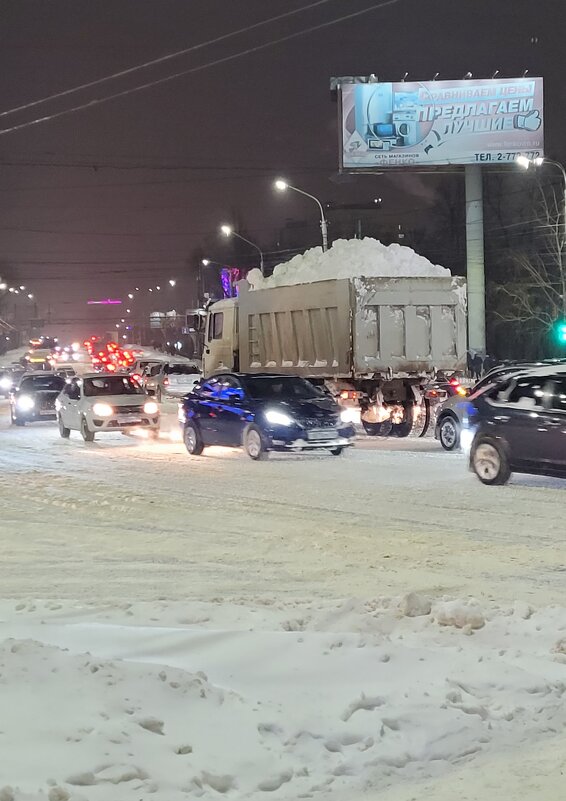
x,y
432,123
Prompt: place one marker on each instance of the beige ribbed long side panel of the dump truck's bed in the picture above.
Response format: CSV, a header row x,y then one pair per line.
x,y
303,329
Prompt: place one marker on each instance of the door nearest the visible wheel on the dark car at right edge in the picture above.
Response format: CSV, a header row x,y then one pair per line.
x,y
520,417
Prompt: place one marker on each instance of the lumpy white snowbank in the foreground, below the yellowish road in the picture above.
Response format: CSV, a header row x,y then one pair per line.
x,y
274,701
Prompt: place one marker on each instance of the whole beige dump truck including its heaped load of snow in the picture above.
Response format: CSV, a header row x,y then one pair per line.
x,y
372,323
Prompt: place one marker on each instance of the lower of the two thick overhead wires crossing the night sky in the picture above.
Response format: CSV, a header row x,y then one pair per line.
x,y
198,68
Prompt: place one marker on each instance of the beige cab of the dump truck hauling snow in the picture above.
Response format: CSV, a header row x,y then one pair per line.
x,y
221,337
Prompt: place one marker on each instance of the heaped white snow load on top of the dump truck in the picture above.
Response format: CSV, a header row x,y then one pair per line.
x,y
350,258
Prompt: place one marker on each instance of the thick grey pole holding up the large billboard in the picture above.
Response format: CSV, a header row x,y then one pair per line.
x,y
475,259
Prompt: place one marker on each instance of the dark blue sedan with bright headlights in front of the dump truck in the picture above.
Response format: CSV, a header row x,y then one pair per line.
x,y
262,413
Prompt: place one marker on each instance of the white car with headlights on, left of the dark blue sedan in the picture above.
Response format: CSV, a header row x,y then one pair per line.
x,y
105,402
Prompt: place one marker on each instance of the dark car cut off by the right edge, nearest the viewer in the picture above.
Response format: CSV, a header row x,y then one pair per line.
x,y
519,426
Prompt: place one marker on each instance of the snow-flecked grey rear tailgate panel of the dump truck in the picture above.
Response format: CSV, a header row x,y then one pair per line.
x,y
409,325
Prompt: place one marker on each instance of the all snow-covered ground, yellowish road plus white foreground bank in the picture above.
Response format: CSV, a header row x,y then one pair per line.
x,y
180,628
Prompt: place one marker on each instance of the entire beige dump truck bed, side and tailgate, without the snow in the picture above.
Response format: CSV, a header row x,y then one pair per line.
x,y
354,327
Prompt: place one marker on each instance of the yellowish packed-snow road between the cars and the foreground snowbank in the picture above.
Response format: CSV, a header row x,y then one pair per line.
x,y
122,518
